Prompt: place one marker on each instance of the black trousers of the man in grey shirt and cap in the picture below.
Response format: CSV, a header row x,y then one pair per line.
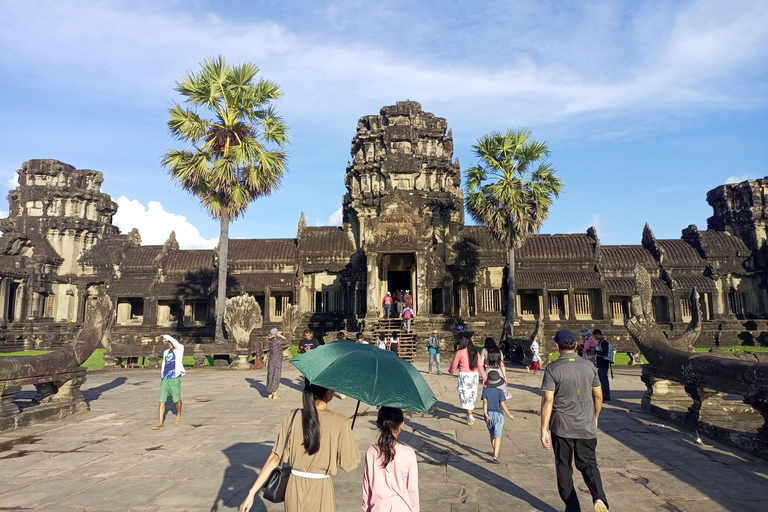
x,y
582,451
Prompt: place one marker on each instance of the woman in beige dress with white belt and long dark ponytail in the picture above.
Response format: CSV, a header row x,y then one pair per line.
x,y
320,442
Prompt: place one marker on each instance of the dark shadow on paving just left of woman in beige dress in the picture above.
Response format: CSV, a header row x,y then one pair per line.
x,y
240,476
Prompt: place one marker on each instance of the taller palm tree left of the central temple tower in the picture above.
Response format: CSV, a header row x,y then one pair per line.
x,y
233,157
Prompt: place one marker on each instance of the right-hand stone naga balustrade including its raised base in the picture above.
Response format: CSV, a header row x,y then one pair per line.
x,y
690,388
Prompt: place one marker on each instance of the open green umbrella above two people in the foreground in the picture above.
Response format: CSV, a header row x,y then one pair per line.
x,y
368,373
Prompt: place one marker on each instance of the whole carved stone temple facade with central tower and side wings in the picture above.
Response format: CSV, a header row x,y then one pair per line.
x,y
403,228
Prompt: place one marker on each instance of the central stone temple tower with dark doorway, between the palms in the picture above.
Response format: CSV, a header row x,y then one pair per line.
x,y
403,204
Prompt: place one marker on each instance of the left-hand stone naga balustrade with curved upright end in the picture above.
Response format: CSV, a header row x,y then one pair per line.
x,y
57,376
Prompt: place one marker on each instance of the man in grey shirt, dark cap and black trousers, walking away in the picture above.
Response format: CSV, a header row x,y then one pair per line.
x,y
570,407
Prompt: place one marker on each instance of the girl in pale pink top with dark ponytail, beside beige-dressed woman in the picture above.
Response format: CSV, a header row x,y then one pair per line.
x,y
391,477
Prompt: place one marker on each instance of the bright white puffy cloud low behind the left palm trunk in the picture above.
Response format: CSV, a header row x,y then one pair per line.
x,y
155,224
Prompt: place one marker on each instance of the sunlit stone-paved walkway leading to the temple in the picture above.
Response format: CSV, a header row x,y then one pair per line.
x,y
111,459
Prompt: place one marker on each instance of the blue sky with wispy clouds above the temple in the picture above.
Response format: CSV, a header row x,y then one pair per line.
x,y
646,105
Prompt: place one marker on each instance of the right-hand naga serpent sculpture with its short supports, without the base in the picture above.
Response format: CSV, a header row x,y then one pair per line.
x,y
703,375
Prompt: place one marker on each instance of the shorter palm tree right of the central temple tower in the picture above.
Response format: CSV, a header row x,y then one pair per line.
x,y
511,191
